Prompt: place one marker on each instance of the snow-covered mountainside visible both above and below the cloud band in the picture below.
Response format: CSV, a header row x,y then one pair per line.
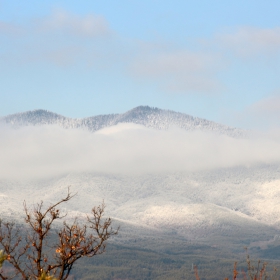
x,y
191,203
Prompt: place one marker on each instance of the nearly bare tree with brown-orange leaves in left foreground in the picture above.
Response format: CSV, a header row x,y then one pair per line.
x,y
32,254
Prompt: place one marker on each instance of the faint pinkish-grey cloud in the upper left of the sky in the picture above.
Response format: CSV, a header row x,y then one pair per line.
x,y
60,38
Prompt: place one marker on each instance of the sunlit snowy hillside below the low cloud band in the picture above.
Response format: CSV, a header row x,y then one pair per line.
x,y
229,202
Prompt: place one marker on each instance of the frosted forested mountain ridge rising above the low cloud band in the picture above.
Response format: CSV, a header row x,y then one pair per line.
x,y
143,115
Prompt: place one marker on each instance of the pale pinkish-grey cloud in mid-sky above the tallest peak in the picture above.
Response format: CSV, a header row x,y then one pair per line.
x,y
180,71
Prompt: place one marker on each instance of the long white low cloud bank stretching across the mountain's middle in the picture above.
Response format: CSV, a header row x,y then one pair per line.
x,y
37,152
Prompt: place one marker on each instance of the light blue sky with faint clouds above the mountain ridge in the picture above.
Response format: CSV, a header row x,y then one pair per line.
x,y
218,60
